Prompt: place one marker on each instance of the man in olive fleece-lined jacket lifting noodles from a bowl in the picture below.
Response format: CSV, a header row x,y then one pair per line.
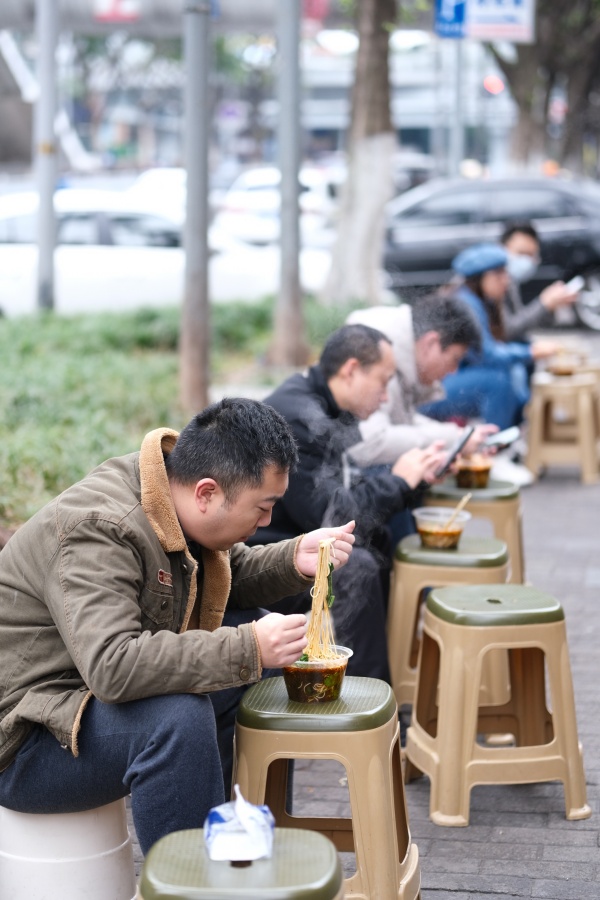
x,y
118,675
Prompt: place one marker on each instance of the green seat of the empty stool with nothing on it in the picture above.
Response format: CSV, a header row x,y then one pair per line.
x,y
496,605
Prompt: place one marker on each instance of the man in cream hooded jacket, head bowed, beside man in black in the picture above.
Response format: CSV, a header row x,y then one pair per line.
x,y
429,340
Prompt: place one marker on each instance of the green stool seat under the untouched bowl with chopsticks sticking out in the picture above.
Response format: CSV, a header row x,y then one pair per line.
x,y
472,552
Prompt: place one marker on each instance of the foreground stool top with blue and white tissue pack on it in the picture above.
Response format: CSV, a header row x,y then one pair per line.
x,y
303,865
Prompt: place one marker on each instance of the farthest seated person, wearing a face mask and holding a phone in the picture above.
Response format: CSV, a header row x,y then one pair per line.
x,y
522,244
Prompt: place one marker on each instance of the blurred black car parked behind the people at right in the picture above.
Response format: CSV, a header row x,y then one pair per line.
x,y
428,225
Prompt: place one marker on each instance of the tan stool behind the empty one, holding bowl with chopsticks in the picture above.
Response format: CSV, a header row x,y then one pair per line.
x,y
475,561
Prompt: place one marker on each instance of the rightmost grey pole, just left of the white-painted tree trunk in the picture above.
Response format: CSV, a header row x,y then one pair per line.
x,y
289,347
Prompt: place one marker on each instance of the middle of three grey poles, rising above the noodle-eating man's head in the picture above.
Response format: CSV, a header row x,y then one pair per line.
x,y
195,317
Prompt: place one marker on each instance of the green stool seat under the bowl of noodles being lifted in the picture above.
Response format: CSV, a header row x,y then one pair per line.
x,y
363,703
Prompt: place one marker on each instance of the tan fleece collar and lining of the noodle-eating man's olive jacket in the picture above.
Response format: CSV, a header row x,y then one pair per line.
x,y
158,505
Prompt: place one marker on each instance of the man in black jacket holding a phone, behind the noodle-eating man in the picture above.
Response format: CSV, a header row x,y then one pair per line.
x,y
323,408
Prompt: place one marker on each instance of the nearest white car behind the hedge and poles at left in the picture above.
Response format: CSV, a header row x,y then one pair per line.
x,y
113,256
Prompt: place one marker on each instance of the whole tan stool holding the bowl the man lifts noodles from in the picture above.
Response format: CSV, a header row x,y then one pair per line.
x,y
361,731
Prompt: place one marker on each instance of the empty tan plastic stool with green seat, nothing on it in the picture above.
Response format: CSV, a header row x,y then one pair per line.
x,y
461,625
